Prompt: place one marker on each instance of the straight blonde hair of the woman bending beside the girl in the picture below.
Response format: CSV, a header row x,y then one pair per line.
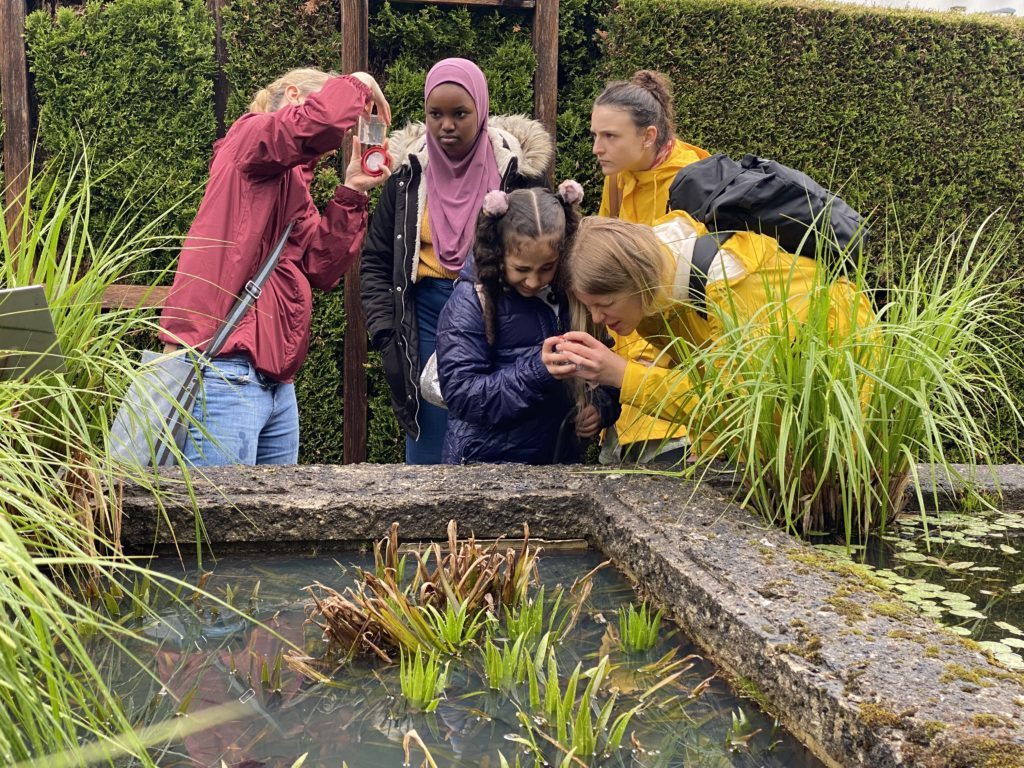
x,y
612,257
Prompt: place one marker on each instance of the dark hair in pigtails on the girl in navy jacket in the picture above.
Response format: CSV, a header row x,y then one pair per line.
x,y
535,214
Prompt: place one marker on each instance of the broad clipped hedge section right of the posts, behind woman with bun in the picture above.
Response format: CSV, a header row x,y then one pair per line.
x,y
900,107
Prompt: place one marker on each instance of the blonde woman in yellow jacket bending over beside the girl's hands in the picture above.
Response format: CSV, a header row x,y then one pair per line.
x,y
635,278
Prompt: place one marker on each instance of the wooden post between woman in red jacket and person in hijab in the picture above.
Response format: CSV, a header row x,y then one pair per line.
x,y
355,56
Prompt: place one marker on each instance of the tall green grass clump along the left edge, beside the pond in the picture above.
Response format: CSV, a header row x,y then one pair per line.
x,y
60,498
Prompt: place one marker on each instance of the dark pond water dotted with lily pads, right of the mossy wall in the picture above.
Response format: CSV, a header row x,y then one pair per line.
x,y
964,569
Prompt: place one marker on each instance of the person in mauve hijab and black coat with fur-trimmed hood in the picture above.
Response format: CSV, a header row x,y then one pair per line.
x,y
422,230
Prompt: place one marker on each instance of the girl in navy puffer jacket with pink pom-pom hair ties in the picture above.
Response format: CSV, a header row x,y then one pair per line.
x,y
503,404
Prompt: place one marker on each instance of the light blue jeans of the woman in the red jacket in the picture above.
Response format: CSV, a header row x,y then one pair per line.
x,y
248,418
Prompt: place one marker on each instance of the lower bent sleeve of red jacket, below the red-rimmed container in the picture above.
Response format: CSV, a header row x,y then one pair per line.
x,y
337,240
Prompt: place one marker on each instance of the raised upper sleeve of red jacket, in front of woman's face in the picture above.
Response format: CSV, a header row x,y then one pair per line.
x,y
275,142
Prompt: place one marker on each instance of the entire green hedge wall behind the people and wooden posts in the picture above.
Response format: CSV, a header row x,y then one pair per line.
x,y
899,107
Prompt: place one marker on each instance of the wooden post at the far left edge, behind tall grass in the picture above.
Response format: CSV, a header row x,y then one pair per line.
x,y
15,92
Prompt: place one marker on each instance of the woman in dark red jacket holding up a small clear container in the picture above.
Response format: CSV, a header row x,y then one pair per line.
x,y
260,182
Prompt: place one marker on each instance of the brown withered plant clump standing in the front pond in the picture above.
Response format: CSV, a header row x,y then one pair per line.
x,y
382,612
